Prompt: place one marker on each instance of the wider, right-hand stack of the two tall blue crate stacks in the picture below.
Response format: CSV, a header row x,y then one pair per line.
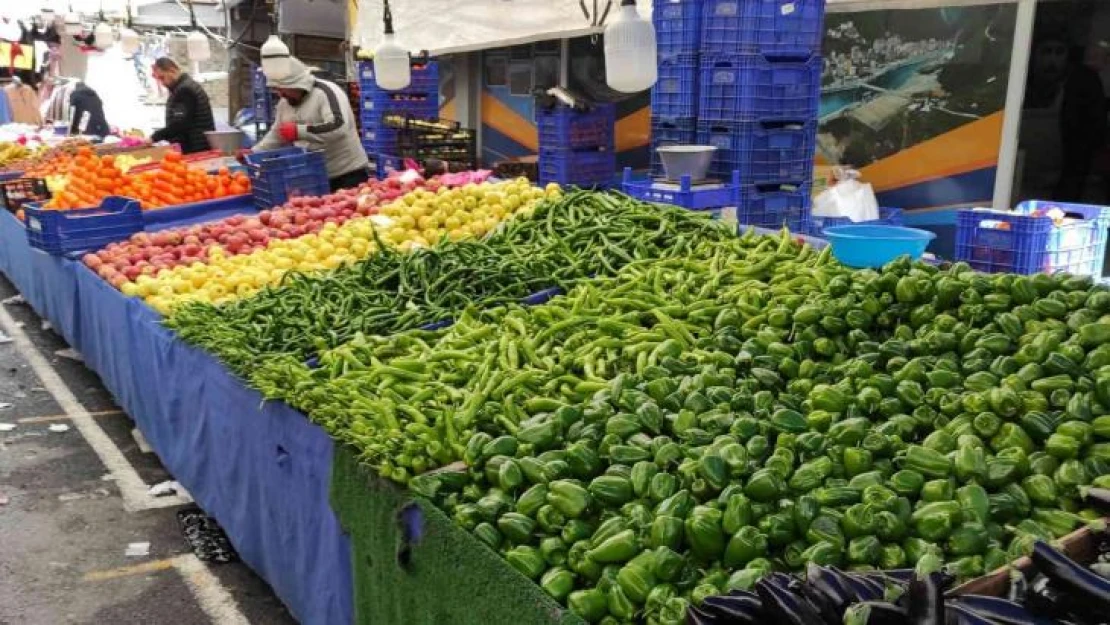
x,y
760,88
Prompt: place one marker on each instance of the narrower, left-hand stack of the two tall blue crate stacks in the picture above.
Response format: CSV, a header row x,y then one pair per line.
x,y
675,95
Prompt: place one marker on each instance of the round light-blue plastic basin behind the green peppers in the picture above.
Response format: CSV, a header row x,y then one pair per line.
x,y
876,246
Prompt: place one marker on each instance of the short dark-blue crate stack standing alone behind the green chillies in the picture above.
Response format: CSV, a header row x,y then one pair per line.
x,y
578,147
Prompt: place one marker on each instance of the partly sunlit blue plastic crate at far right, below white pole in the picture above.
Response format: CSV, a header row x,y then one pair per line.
x,y
1021,243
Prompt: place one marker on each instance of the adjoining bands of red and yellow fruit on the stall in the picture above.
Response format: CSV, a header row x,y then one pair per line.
x,y
310,236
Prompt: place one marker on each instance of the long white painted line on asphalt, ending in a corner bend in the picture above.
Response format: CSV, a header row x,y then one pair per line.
x,y
133,489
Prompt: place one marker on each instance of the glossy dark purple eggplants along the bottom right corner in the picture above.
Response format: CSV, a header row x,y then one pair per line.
x,y
1055,590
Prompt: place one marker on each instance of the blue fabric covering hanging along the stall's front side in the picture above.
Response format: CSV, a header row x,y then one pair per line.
x,y
263,470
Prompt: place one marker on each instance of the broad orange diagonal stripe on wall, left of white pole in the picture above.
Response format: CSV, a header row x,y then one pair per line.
x,y
972,147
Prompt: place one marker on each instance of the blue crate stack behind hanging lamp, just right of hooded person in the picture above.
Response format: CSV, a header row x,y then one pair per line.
x,y
421,99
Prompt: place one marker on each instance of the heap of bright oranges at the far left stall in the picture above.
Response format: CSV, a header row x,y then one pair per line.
x,y
93,178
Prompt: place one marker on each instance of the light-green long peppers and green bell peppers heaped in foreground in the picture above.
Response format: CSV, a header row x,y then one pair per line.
x,y
700,424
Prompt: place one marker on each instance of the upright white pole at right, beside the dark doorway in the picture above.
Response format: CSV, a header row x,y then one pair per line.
x,y
1015,98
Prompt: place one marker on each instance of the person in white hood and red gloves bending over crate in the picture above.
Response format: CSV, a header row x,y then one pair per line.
x,y
316,114
